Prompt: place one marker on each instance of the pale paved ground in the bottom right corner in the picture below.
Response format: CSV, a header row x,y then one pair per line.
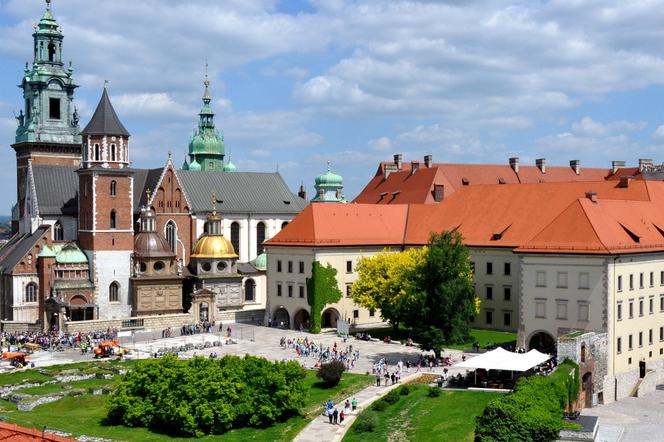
x,y
631,419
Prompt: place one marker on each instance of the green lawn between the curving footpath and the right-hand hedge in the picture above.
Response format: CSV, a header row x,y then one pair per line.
x,y
417,417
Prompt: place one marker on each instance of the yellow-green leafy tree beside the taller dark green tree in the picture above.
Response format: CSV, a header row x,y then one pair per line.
x,y
389,281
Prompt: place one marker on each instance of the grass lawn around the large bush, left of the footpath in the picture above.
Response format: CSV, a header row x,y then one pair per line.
x,y
85,414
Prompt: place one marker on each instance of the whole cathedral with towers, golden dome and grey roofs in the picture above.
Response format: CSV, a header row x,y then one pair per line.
x,y
97,239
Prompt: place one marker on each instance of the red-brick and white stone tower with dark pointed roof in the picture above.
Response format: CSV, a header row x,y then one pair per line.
x,y
105,206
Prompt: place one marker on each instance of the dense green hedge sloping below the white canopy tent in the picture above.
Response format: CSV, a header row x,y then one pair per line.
x,y
532,412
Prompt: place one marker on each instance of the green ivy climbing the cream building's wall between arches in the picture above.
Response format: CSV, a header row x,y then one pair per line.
x,y
322,289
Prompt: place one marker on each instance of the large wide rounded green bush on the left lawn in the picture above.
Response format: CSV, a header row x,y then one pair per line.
x,y
207,396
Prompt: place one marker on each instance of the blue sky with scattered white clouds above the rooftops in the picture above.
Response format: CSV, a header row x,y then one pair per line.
x,y
297,83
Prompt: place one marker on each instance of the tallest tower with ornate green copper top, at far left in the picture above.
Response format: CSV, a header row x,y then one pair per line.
x,y
47,130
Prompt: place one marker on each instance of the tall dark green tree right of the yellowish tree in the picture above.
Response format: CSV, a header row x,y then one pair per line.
x,y
447,301
